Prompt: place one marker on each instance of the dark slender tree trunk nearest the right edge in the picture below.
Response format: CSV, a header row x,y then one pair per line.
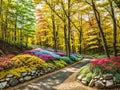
x,y
114,28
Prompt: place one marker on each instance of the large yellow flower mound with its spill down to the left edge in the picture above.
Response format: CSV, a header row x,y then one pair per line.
x,y
26,63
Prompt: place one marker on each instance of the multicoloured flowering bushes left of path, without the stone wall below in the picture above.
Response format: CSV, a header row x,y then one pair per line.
x,y
33,60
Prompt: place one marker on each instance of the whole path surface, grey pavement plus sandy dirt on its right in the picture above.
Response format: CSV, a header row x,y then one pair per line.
x,y
63,79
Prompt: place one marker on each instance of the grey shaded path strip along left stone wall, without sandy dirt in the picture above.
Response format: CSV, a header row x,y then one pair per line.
x,y
52,80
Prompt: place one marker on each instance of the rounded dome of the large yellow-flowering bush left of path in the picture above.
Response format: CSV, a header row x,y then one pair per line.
x,y
29,61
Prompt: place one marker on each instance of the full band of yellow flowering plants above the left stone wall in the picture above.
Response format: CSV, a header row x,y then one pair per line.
x,y
27,63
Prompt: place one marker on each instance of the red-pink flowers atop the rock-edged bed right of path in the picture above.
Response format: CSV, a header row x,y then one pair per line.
x,y
106,64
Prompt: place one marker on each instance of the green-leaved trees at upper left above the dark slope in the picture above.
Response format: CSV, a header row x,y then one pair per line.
x,y
17,21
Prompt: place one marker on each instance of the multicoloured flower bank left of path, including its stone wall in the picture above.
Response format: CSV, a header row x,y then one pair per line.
x,y
29,65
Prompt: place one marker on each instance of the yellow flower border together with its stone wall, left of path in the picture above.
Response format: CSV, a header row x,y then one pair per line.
x,y
27,67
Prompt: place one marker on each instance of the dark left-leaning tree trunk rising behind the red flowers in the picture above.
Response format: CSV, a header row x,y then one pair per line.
x,y
97,16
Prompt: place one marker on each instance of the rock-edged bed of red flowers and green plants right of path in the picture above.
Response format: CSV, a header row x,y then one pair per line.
x,y
101,73
